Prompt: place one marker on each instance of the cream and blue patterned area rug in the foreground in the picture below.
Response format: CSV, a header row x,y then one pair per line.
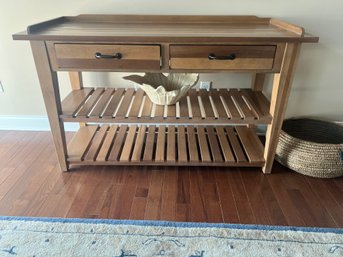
x,y
121,238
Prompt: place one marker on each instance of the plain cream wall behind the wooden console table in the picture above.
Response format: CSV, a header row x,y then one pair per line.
x,y
317,89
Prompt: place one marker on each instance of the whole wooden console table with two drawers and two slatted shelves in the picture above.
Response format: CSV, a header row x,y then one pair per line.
x,y
214,128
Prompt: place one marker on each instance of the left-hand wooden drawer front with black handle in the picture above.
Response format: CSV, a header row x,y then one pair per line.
x,y
121,57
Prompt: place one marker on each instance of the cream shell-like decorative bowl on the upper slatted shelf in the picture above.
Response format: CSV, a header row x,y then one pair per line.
x,y
165,90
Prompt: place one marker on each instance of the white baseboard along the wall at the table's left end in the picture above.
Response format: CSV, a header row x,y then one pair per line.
x,y
32,123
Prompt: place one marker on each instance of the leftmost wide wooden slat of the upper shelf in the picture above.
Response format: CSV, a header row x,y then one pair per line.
x,y
74,100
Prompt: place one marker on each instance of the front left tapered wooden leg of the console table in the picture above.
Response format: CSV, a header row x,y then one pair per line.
x,y
49,86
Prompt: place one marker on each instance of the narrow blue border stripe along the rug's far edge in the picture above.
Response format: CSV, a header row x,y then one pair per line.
x,y
176,224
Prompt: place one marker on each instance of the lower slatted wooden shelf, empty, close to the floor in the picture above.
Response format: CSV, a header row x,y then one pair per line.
x,y
166,145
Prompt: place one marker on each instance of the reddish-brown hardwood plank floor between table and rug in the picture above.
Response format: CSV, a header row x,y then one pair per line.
x,y
31,184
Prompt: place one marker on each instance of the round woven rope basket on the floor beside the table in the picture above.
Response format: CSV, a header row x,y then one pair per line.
x,y
311,147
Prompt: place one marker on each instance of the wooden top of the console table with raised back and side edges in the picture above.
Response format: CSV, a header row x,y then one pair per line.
x,y
166,28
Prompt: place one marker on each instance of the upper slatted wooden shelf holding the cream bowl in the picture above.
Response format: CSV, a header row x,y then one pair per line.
x,y
238,106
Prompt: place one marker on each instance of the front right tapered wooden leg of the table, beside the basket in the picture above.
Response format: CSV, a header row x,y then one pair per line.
x,y
281,90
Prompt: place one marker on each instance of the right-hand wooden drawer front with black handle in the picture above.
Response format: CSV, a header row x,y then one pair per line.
x,y
228,57
